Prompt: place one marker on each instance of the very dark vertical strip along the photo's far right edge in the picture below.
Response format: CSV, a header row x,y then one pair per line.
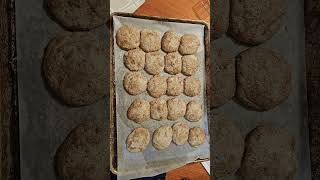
x,y
312,25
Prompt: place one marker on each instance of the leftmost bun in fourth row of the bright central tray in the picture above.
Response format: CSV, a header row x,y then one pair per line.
x,y
139,111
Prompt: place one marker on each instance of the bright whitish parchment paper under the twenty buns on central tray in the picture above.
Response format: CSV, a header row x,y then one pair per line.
x,y
151,161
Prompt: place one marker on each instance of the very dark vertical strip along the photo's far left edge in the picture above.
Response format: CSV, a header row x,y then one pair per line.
x,y
9,127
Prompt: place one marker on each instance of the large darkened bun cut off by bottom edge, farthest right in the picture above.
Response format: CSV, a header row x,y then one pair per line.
x,y
269,154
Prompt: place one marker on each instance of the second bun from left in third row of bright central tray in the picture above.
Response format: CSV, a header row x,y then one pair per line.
x,y
157,86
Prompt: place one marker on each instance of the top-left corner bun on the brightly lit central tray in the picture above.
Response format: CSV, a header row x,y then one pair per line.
x,y
128,37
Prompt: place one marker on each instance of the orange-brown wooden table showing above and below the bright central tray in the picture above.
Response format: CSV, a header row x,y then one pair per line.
x,y
182,9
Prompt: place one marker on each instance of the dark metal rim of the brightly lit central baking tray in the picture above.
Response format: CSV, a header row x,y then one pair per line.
x,y
113,137
